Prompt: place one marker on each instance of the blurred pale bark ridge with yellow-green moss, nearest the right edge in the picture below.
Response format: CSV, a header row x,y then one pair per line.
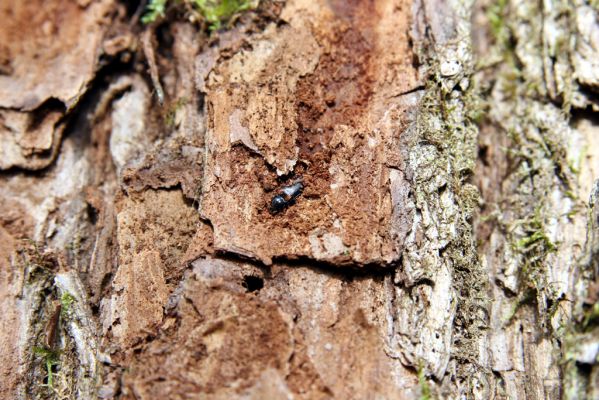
x,y
523,108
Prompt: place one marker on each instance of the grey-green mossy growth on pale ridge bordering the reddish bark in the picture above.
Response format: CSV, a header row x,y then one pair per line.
x,y
442,155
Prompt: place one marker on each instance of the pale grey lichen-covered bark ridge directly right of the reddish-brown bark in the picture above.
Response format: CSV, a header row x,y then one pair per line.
x,y
443,284
